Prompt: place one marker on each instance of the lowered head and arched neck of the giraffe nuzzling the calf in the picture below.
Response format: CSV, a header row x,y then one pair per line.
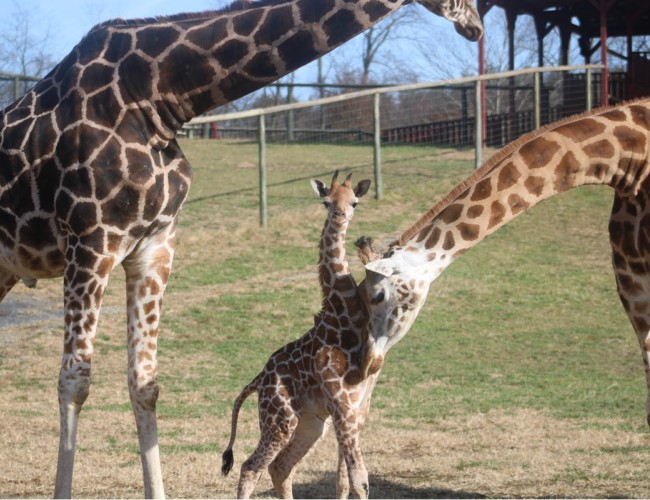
x,y
607,147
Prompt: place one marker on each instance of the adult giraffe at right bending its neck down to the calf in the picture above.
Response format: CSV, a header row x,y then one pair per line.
x,y
608,146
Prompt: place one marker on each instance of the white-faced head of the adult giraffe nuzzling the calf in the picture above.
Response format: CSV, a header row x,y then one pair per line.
x,y
393,292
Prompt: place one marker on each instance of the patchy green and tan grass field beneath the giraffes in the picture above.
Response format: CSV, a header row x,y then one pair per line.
x,y
520,378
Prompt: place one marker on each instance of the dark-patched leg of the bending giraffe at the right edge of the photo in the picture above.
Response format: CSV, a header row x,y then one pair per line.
x,y
632,271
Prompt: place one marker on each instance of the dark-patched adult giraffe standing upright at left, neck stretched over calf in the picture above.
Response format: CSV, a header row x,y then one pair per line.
x,y
91,175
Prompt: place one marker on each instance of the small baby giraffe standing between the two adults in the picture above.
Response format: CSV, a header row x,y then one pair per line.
x,y
316,376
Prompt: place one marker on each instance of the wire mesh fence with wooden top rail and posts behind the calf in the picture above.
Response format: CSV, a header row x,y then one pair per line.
x,y
491,111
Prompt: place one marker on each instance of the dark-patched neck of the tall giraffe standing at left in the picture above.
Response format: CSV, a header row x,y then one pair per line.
x,y
186,64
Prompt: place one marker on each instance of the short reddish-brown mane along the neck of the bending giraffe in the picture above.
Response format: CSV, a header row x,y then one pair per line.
x,y
491,163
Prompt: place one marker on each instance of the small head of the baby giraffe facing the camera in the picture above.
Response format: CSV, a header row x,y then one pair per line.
x,y
340,199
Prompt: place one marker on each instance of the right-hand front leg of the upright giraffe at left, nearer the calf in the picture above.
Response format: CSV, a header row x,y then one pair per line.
x,y
147,272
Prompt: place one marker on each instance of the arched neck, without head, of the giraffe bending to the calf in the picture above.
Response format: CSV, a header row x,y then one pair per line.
x,y
610,148
